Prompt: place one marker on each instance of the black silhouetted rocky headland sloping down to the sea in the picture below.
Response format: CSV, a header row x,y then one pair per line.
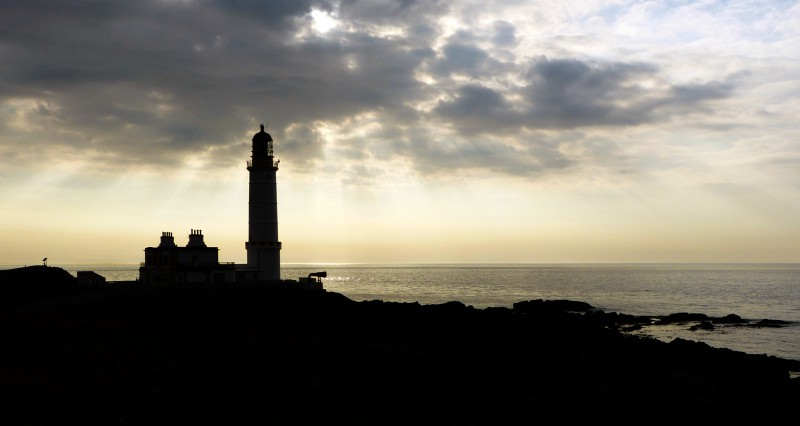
x,y
126,353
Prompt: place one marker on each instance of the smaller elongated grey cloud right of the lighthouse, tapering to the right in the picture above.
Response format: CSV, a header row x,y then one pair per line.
x,y
570,93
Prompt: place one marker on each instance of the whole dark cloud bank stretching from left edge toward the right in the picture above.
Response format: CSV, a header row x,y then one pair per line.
x,y
147,83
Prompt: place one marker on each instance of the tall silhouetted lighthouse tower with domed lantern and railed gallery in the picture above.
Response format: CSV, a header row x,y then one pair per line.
x,y
263,247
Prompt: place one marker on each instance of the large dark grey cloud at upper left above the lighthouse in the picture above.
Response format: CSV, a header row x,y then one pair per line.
x,y
165,80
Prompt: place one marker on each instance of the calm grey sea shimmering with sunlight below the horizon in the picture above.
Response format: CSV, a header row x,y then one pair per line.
x,y
751,291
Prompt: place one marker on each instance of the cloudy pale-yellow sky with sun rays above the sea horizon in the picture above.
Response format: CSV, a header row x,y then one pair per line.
x,y
407,131
